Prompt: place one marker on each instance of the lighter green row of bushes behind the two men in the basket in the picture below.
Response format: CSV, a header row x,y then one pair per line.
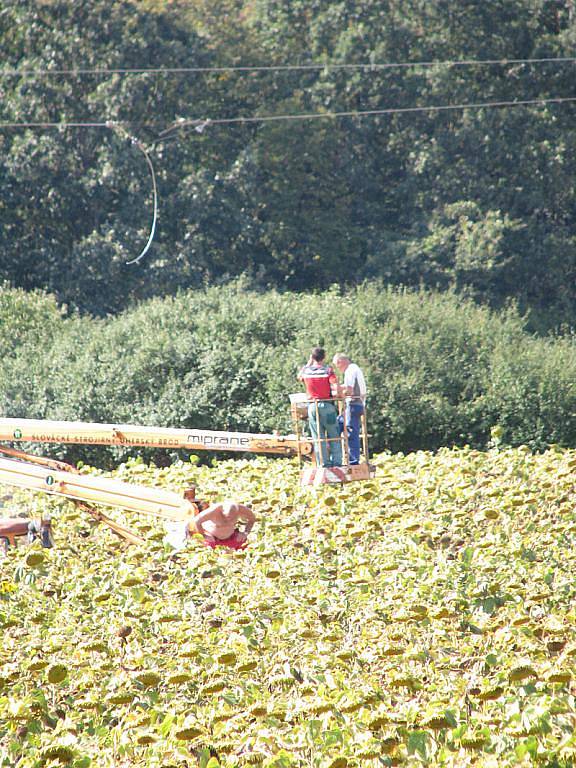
x,y
440,369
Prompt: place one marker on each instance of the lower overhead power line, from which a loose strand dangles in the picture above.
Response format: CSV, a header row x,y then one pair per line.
x,y
201,123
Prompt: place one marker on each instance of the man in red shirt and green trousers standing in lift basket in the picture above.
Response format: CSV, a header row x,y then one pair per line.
x,y
321,385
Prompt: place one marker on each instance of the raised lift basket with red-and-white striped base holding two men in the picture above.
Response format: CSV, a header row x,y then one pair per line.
x,y
305,413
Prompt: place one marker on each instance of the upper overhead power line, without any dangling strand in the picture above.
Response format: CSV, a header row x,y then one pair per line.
x,y
374,66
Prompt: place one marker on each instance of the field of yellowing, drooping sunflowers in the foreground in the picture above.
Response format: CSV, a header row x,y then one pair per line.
x,y
424,618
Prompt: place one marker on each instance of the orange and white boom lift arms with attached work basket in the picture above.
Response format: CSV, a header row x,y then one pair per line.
x,y
58,478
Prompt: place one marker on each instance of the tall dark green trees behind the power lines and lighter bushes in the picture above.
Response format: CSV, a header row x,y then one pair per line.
x,y
482,200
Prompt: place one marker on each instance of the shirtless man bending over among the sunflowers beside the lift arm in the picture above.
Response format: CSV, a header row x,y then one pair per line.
x,y
217,524
